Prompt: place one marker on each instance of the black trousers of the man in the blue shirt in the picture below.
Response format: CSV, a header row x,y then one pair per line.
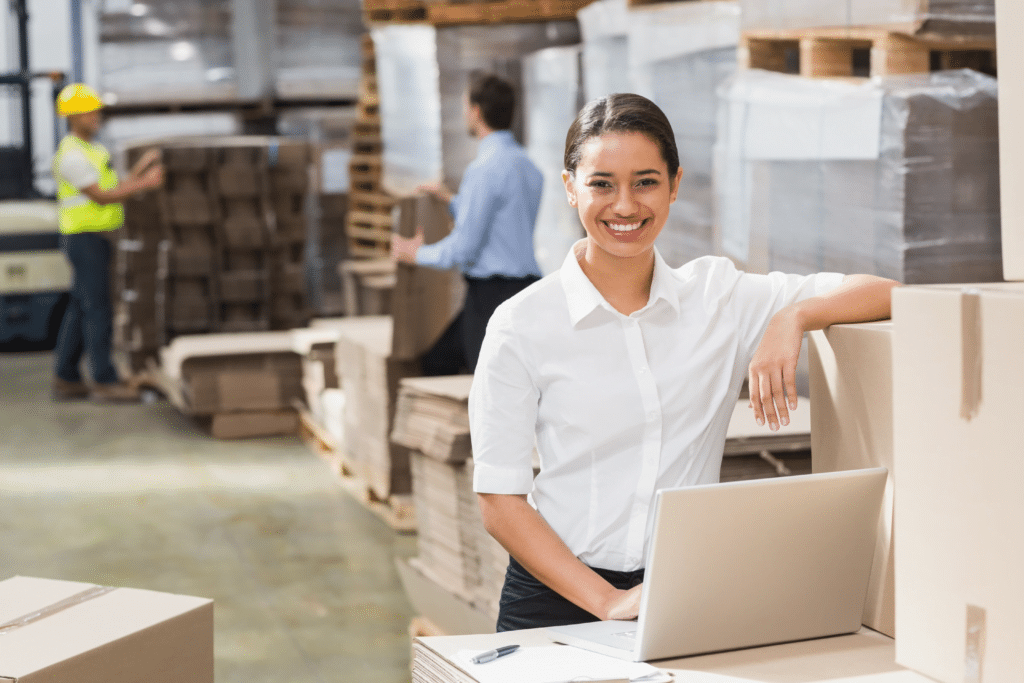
x,y
459,348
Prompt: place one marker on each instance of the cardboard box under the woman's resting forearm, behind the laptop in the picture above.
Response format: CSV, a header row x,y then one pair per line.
x,y
852,429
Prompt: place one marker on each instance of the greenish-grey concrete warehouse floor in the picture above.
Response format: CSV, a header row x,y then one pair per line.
x,y
304,578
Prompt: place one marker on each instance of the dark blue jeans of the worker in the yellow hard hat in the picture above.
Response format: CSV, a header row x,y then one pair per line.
x,y
88,322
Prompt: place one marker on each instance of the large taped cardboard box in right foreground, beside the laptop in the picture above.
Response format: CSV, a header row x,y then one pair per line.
x,y
959,441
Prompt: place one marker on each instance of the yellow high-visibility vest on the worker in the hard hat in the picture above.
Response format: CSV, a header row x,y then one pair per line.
x,y
78,212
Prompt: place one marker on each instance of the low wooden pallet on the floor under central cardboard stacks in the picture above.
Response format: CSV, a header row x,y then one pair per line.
x,y
398,511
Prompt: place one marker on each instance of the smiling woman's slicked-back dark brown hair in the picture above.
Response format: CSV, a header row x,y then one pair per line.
x,y
624,114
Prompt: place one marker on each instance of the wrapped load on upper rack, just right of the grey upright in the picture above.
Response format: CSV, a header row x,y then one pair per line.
x,y
319,48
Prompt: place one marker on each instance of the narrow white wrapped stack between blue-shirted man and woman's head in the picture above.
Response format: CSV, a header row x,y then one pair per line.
x,y
553,96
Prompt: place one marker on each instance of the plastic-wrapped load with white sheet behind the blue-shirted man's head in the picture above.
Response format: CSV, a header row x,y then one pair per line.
x,y
422,75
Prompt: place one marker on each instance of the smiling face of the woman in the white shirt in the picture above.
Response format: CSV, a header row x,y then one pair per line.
x,y
623,192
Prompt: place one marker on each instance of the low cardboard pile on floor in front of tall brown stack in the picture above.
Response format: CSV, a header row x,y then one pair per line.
x,y
242,385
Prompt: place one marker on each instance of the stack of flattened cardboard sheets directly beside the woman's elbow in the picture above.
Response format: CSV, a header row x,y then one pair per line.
x,y
455,550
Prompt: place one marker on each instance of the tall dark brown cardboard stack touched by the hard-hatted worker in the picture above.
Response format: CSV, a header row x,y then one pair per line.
x,y
220,248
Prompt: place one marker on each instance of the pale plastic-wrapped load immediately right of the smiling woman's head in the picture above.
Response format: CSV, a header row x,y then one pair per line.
x,y
680,55
